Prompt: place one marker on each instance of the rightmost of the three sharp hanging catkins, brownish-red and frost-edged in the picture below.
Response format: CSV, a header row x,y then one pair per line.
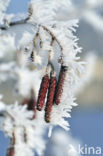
x,y
60,84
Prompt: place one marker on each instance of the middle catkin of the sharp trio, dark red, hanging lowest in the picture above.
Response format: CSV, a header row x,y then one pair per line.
x,y
50,97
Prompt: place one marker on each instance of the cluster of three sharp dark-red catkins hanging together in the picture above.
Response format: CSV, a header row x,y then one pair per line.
x,y
51,88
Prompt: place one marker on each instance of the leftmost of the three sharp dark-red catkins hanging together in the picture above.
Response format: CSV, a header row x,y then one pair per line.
x,y
42,92
